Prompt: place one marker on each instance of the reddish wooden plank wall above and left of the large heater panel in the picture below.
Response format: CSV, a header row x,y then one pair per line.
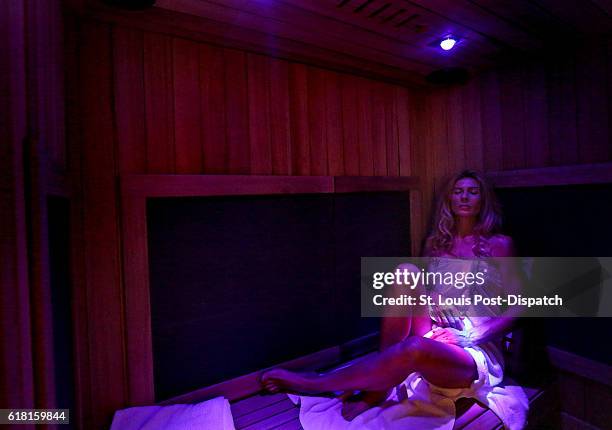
x,y
153,103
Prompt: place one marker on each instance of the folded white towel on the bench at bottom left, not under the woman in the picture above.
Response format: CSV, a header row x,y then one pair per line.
x,y
210,414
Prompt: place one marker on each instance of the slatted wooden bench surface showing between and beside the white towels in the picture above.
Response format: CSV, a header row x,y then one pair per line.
x,y
267,412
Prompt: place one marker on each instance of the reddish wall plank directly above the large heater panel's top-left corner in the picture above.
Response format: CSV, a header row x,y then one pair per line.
x,y
159,103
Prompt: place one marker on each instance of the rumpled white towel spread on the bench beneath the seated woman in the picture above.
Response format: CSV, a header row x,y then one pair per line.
x,y
417,404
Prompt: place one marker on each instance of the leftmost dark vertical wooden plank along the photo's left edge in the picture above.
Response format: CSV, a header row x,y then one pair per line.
x,y
17,387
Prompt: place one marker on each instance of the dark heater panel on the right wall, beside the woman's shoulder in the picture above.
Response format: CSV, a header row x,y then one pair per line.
x,y
565,221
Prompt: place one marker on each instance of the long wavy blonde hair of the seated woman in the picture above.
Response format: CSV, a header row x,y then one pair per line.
x,y
443,230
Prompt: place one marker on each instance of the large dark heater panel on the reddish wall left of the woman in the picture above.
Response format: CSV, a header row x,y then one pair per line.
x,y
242,283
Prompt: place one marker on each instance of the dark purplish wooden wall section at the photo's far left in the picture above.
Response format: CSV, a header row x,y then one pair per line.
x,y
32,165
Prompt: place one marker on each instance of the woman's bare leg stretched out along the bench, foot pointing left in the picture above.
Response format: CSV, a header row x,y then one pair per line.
x,y
441,364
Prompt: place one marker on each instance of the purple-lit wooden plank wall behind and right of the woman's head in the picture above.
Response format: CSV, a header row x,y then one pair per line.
x,y
550,111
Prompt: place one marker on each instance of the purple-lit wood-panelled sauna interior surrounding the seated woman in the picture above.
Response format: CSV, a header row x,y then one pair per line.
x,y
187,188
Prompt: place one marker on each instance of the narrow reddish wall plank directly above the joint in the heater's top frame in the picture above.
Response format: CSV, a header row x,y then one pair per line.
x,y
334,135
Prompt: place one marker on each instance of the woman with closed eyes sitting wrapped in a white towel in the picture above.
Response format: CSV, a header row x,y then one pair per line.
x,y
445,348
